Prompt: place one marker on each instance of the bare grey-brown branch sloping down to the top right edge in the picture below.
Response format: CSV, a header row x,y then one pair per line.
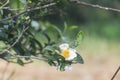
x,y
95,6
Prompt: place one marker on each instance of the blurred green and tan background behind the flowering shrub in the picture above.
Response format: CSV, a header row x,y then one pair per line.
x,y
100,48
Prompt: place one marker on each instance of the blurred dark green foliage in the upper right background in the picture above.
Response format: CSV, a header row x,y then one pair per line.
x,y
94,21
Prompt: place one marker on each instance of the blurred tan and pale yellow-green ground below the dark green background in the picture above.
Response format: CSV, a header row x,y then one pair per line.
x,y
101,58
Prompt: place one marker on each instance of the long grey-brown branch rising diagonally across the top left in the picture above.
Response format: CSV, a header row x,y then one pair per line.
x,y
28,10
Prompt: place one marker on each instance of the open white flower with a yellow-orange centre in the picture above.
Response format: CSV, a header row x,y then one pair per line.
x,y
66,52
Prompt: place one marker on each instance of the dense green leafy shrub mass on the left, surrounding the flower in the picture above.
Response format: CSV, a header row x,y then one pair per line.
x,y
27,37
